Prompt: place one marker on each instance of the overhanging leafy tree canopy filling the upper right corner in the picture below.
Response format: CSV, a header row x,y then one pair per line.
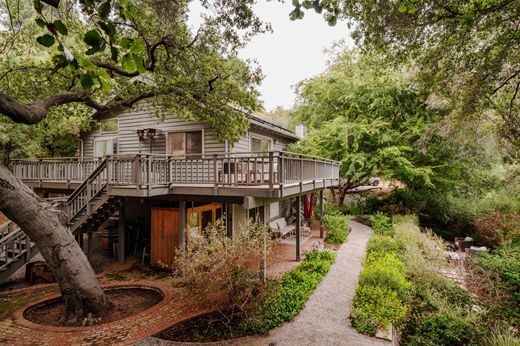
x,y
468,52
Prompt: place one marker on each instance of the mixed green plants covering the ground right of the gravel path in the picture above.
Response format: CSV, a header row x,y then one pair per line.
x,y
402,284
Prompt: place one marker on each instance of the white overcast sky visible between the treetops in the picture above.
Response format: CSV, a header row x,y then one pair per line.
x,y
293,52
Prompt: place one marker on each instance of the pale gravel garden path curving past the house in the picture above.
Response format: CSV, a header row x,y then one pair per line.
x,y
324,320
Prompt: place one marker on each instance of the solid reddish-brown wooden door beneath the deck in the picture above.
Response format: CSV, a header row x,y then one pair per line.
x,y
165,235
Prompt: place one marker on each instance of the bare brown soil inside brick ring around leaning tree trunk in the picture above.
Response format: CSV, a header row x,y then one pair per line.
x,y
125,301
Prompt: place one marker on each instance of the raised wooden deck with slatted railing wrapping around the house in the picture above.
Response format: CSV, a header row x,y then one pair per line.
x,y
270,175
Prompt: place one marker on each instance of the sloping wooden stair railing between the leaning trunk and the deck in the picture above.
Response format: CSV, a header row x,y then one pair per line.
x,y
91,187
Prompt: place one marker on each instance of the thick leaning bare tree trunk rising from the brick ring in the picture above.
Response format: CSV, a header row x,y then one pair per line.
x,y
45,225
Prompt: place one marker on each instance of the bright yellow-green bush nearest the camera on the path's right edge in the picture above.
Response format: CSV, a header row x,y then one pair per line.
x,y
376,307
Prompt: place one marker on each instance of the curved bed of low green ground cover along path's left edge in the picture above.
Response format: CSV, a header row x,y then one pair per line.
x,y
280,301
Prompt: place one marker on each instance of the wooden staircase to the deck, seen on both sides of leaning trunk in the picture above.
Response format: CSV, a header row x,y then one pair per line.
x,y
88,207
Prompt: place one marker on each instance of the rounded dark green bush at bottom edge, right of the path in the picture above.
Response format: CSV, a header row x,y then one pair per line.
x,y
443,330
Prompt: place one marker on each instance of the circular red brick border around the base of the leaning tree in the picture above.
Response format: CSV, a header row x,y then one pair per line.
x,y
19,315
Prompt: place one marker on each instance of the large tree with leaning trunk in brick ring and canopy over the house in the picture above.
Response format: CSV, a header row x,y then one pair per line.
x,y
104,57
